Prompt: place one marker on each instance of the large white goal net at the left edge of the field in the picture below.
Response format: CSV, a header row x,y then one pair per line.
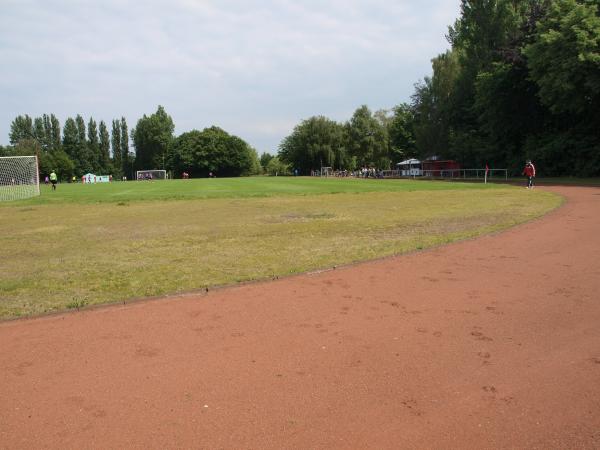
x,y
18,177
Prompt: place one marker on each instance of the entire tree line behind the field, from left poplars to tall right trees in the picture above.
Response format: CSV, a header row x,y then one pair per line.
x,y
520,81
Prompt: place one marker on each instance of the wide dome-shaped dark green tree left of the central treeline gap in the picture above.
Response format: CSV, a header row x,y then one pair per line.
x,y
210,150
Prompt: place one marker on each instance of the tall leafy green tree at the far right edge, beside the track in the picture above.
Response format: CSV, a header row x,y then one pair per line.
x,y
564,63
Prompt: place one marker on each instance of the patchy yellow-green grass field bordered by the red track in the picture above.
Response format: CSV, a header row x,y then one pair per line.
x,y
91,244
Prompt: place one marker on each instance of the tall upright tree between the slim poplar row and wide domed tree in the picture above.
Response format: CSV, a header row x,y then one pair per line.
x,y
151,137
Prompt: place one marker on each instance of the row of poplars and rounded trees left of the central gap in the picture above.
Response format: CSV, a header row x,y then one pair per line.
x,y
77,149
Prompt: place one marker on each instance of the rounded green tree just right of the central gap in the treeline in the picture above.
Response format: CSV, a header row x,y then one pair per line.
x,y
315,142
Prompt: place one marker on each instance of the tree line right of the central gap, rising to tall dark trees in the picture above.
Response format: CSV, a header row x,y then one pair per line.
x,y
521,81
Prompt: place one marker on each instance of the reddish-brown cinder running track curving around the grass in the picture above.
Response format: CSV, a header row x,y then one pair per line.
x,y
493,342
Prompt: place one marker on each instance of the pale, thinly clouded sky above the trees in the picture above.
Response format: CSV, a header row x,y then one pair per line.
x,y
254,68
